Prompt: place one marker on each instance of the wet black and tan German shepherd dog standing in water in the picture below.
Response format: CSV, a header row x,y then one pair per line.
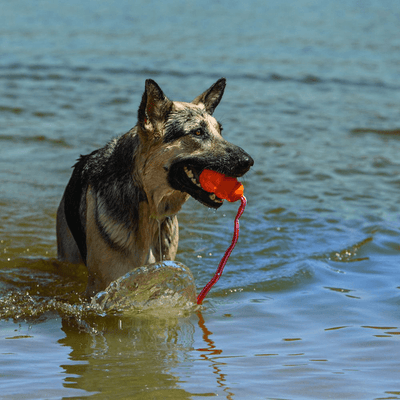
x,y
119,208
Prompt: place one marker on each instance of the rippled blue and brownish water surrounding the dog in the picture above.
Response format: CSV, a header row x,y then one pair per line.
x,y
308,306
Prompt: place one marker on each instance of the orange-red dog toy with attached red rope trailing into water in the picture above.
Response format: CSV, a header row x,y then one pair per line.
x,y
225,188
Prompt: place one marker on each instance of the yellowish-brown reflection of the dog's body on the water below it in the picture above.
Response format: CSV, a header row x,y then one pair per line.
x,y
132,356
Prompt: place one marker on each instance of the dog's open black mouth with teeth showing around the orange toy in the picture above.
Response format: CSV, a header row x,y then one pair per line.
x,y
186,178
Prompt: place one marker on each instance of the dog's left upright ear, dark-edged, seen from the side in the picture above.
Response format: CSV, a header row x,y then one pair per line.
x,y
154,108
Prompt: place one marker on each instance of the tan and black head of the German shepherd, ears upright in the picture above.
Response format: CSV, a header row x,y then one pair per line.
x,y
183,139
